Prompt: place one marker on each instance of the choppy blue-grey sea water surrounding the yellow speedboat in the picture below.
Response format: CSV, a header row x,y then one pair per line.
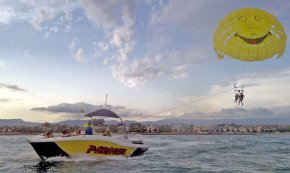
x,y
167,153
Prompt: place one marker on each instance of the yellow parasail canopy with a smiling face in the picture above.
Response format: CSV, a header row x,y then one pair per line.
x,y
250,34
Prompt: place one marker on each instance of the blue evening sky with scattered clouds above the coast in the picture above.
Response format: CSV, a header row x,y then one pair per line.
x,y
154,59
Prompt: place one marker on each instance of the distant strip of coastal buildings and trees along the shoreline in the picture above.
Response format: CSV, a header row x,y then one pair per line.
x,y
222,129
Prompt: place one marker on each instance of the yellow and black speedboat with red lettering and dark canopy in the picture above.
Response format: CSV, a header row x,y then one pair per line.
x,y
92,145
